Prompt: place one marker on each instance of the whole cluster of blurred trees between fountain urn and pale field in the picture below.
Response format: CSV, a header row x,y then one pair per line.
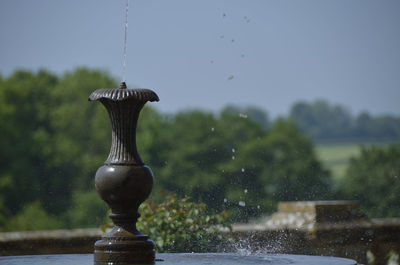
x,y
232,162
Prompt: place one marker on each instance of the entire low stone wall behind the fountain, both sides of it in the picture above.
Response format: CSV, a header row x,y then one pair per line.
x,y
333,228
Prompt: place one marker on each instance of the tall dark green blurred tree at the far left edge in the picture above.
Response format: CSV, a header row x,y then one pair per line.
x,y
25,104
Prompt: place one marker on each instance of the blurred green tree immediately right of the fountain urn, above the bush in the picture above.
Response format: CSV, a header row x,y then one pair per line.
x,y
195,149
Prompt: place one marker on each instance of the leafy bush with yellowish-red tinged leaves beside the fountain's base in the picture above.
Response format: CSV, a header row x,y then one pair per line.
x,y
179,225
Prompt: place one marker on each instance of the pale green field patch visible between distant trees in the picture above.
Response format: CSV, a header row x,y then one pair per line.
x,y
336,156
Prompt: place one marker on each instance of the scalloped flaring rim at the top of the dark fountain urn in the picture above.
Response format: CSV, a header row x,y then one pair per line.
x,y
119,94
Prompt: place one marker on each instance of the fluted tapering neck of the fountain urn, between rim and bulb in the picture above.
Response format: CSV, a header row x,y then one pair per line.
x,y
123,115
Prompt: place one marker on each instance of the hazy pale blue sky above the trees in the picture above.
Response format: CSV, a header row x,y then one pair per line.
x,y
278,52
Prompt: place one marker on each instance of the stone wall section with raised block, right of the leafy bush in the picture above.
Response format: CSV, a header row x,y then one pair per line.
x,y
330,228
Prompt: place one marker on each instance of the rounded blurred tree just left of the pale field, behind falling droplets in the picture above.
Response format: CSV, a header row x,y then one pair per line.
x,y
279,166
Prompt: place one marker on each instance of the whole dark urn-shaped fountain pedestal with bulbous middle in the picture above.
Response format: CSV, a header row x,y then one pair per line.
x,y
124,181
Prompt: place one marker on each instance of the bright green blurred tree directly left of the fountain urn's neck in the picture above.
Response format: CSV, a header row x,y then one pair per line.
x,y
82,131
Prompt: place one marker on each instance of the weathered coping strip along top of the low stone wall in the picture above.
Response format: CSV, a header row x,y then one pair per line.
x,y
374,229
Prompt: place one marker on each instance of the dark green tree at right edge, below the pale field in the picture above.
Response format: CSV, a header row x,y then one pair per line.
x,y
373,179
